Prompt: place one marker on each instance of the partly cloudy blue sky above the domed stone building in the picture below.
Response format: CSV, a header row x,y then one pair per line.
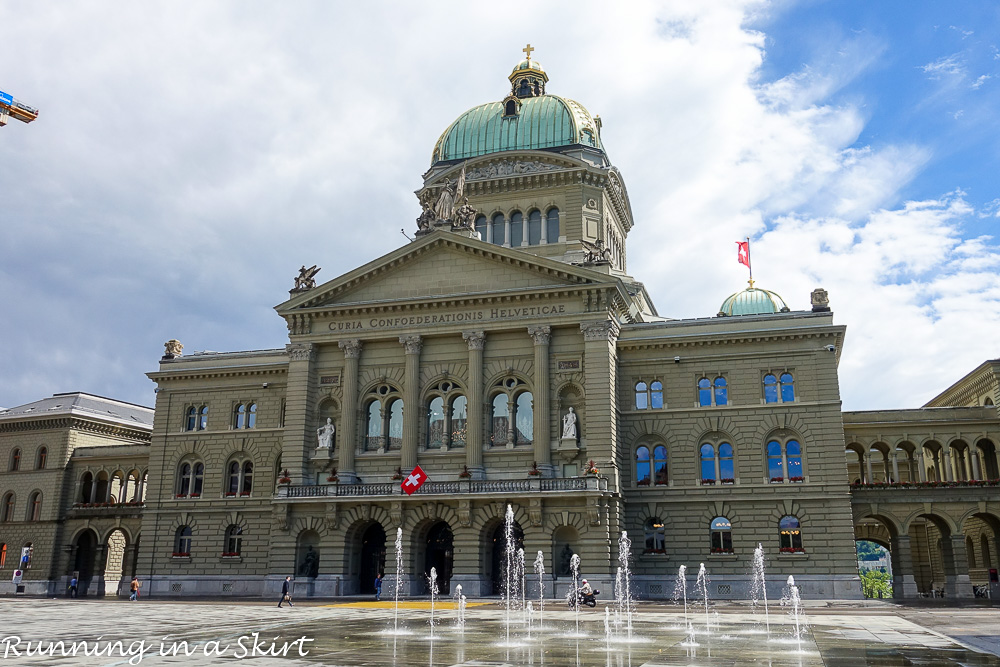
x,y
190,157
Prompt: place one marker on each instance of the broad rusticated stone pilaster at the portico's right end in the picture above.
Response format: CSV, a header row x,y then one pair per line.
x,y
600,367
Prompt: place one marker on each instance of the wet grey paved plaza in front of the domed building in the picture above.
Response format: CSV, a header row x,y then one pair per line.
x,y
370,633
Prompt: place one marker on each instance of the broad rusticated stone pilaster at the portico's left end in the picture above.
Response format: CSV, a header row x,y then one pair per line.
x,y
299,399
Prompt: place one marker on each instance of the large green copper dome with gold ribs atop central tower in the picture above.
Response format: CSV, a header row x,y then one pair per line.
x,y
546,121
